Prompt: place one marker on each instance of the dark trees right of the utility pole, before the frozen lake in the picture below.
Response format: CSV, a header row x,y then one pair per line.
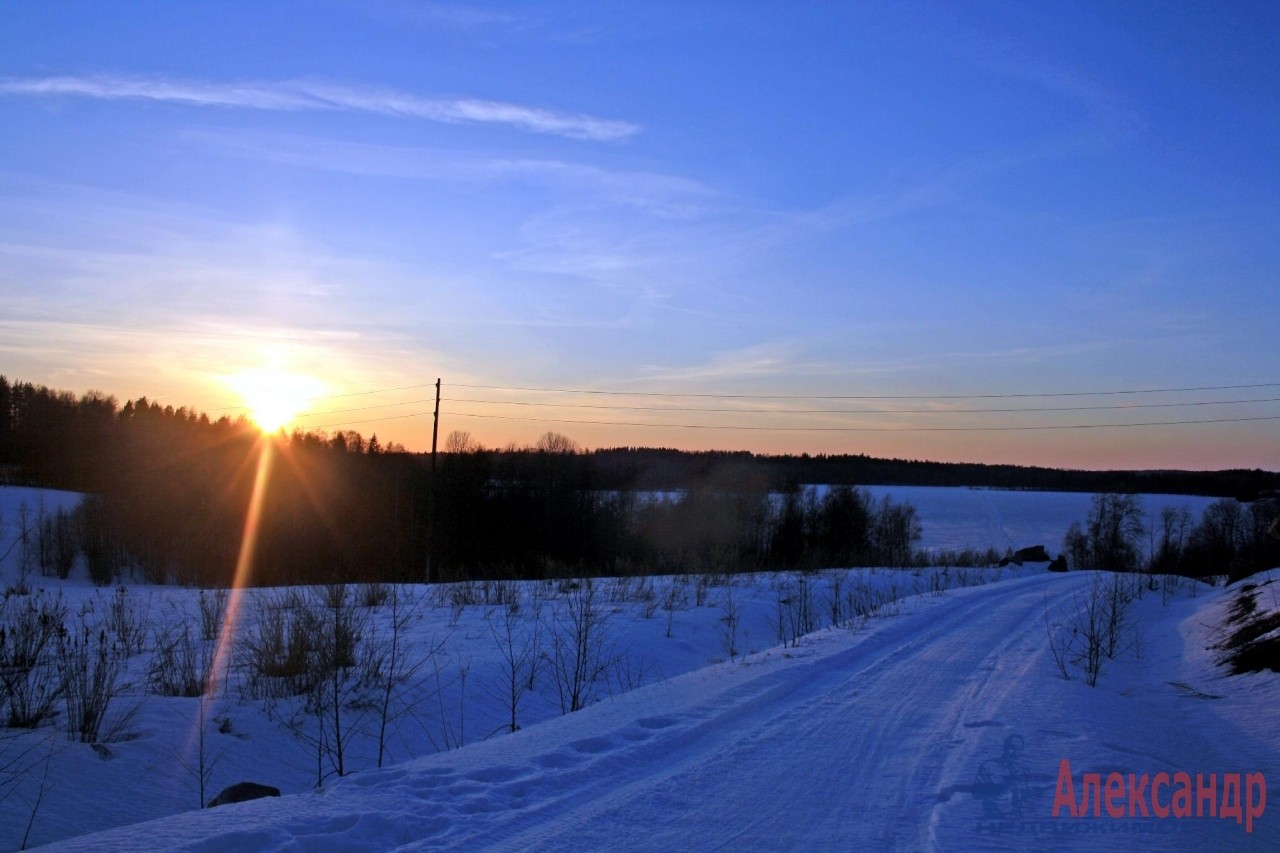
x,y
545,513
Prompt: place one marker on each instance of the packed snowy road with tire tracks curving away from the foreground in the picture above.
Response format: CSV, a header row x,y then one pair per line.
x,y
854,742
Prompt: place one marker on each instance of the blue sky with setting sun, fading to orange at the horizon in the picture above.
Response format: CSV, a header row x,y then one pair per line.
x,y
998,232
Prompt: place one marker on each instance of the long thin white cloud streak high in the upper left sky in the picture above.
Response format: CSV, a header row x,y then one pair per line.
x,y
303,95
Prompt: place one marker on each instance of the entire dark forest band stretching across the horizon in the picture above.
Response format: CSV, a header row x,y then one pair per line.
x,y
170,490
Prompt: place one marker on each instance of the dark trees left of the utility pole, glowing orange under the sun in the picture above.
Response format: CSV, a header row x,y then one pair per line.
x,y
170,491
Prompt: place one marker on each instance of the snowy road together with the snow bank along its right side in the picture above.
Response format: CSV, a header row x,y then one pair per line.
x,y
868,740
